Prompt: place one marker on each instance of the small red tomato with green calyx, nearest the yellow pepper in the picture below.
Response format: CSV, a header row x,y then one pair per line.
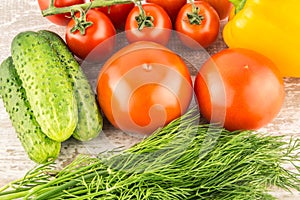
x,y
204,31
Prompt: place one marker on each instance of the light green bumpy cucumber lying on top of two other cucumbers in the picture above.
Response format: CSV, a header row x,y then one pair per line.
x,y
47,86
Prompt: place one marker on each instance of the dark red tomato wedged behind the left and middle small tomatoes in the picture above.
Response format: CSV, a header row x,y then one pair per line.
x,y
117,14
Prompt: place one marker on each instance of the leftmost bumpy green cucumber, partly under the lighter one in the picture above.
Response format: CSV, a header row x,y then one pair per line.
x,y
37,145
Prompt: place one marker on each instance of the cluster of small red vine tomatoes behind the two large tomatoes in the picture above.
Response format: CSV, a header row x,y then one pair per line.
x,y
161,15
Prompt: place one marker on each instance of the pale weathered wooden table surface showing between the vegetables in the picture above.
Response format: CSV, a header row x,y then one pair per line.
x,y
20,15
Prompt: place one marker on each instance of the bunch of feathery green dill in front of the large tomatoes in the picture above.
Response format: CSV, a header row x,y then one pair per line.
x,y
183,160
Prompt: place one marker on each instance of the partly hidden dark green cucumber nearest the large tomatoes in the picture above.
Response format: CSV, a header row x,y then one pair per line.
x,y
90,121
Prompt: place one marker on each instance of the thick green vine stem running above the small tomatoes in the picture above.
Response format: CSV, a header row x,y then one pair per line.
x,y
52,10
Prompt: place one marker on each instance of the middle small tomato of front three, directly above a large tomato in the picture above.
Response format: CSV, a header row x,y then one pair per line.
x,y
162,25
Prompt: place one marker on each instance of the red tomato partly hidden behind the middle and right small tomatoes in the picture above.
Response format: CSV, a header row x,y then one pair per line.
x,y
171,6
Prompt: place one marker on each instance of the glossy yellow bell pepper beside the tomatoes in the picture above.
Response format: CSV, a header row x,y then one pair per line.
x,y
270,27
